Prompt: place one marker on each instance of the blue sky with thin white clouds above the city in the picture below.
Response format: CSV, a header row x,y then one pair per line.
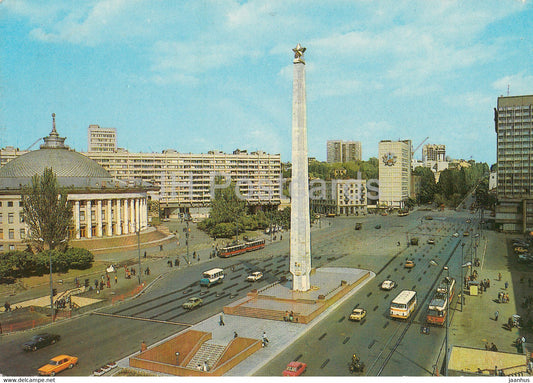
x,y
200,75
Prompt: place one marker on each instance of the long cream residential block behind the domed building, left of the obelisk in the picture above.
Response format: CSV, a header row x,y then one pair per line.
x,y
186,181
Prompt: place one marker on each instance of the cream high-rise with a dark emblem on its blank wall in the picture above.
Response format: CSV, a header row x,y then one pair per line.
x,y
394,173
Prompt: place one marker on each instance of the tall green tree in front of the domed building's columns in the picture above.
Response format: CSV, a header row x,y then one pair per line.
x,y
46,211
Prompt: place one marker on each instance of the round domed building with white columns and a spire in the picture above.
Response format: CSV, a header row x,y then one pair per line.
x,y
103,206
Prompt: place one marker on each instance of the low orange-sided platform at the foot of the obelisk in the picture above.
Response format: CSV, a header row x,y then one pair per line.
x,y
279,302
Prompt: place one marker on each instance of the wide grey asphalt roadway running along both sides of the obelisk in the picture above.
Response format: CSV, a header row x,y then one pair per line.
x,y
386,346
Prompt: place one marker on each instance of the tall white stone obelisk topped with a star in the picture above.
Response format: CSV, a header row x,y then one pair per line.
x,y
300,255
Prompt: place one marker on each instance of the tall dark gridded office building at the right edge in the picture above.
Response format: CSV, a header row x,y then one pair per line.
x,y
513,120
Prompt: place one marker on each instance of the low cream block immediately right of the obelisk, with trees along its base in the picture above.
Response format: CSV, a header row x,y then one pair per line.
x,y
339,197
